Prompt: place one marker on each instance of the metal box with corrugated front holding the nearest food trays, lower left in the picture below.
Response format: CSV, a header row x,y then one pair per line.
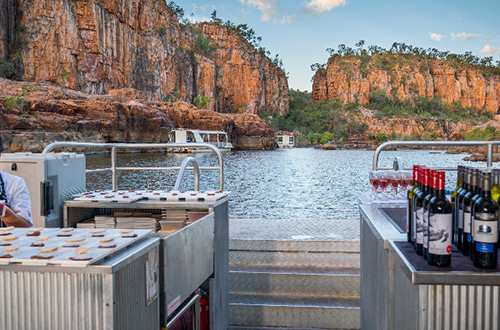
x,y
112,294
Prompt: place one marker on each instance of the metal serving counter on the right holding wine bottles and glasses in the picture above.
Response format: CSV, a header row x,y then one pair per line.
x,y
399,290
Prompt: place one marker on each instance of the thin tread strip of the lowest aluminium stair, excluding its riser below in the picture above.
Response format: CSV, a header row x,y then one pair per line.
x,y
297,302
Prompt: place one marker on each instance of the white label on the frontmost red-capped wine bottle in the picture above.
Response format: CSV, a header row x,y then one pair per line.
x,y
440,232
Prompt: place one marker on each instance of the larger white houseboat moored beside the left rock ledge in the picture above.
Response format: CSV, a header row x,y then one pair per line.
x,y
215,138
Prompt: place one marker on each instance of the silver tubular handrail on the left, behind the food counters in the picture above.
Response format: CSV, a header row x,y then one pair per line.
x,y
115,146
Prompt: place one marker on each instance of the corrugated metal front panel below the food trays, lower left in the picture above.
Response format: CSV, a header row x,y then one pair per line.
x,y
45,300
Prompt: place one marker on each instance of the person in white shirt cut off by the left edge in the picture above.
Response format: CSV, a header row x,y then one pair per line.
x,y
14,192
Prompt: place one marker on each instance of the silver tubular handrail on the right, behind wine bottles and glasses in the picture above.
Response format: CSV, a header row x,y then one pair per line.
x,y
384,145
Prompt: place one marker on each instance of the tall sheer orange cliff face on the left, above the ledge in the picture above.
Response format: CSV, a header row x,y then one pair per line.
x,y
95,46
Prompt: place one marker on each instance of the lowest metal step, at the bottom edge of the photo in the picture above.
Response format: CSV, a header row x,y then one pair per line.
x,y
293,312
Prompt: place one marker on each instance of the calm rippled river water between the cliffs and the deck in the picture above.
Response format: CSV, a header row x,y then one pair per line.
x,y
280,184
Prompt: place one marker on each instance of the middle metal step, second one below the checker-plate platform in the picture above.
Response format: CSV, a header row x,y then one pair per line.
x,y
300,282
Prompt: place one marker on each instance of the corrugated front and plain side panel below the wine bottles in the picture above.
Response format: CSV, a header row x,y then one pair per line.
x,y
444,307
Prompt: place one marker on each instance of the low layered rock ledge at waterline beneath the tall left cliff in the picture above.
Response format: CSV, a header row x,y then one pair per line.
x,y
52,114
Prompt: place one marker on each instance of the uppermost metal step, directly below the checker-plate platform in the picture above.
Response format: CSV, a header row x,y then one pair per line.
x,y
295,259
